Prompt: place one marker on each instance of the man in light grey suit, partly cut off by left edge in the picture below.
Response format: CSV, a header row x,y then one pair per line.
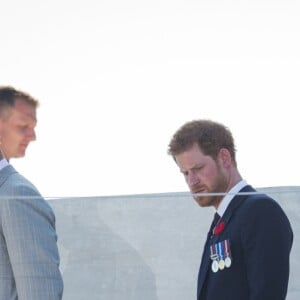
x,y
29,258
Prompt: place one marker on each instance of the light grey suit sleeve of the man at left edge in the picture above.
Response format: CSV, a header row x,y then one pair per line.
x,y
29,230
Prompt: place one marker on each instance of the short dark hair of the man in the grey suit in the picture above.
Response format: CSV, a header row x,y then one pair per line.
x,y
8,96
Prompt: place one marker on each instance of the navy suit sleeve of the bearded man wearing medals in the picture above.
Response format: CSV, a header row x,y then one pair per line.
x,y
267,239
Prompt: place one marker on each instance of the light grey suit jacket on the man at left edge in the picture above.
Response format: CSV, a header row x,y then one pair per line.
x,y
29,259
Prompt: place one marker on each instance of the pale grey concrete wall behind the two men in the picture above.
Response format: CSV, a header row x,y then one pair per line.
x,y
145,246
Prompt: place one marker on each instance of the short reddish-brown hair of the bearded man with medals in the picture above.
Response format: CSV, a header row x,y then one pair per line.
x,y
210,136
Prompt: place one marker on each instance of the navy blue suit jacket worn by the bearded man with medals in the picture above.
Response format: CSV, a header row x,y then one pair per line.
x,y
261,238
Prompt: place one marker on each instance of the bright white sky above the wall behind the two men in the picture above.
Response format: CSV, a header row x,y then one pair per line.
x,y
117,78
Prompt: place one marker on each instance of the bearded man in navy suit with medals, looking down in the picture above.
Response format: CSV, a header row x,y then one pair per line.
x,y
247,251
